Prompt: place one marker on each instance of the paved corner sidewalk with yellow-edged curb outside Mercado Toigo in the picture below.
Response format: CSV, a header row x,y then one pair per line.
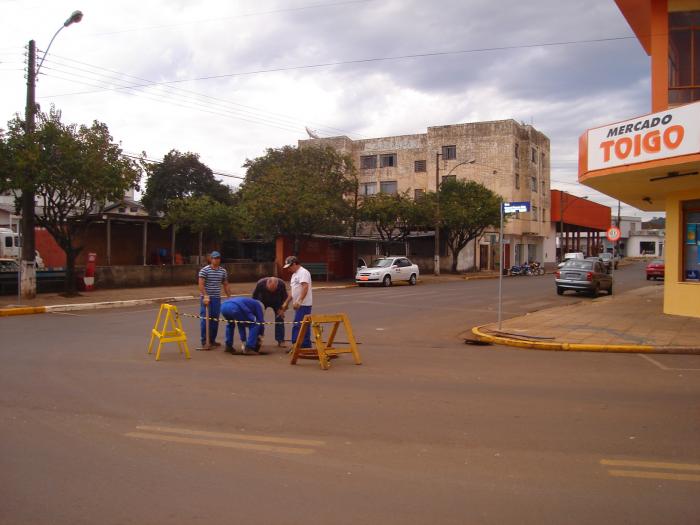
x,y
630,322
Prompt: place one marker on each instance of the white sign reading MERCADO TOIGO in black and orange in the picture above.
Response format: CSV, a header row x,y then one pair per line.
x,y
670,133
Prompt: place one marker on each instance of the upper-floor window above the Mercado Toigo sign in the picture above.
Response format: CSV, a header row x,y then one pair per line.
x,y
683,57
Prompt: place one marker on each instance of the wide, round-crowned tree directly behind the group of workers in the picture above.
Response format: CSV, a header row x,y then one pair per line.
x,y
297,192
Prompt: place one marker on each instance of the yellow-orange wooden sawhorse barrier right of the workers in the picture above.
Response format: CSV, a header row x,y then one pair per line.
x,y
324,350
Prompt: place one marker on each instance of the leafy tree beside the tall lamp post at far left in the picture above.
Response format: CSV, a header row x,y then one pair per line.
x,y
76,170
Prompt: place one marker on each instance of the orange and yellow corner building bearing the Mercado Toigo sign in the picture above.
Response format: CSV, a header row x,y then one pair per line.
x,y
652,161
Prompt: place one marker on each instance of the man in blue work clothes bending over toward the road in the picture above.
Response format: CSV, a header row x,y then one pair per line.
x,y
249,316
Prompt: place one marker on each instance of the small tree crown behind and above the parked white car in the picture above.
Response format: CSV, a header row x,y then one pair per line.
x,y
396,216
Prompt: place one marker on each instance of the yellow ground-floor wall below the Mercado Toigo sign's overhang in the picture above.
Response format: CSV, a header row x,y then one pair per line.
x,y
680,298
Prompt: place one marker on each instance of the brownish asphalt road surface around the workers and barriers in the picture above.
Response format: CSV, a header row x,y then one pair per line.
x,y
427,430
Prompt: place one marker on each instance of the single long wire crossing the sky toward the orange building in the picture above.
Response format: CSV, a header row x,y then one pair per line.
x,y
431,54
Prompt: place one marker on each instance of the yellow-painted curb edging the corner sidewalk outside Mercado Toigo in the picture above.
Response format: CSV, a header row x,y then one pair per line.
x,y
581,347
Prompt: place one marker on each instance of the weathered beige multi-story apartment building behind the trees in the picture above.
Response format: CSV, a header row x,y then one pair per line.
x,y
509,158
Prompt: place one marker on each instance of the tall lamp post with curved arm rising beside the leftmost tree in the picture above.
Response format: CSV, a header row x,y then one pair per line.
x,y
27,262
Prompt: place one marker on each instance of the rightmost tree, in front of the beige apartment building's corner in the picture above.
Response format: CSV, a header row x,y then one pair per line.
x,y
467,208
